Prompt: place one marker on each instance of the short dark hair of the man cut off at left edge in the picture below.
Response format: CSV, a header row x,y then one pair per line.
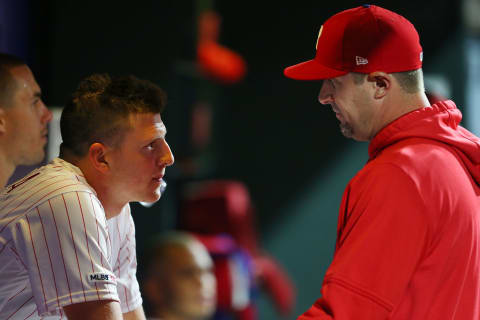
x,y
7,81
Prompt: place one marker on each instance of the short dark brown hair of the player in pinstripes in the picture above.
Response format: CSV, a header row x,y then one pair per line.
x,y
100,108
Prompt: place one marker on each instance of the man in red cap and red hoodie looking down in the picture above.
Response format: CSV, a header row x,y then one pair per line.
x,y
408,239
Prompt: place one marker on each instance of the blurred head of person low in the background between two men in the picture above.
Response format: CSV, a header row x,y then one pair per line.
x,y
179,282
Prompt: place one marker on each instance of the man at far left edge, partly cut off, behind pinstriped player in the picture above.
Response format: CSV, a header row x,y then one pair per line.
x,y
23,117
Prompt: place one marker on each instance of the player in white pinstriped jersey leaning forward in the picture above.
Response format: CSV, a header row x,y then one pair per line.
x,y
67,238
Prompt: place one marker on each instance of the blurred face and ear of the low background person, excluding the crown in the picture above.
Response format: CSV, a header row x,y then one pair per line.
x,y
185,287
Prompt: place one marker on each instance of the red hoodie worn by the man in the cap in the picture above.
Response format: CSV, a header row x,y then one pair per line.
x,y
408,242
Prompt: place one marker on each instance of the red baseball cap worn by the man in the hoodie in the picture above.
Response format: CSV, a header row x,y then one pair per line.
x,y
363,39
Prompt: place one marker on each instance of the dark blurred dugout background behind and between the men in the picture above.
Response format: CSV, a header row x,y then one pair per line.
x,y
268,131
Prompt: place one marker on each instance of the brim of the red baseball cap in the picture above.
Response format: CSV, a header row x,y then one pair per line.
x,y
311,70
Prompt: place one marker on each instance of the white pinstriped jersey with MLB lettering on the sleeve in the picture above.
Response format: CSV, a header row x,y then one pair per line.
x,y
57,248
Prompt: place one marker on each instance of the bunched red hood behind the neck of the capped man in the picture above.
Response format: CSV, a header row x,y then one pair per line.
x,y
439,122
